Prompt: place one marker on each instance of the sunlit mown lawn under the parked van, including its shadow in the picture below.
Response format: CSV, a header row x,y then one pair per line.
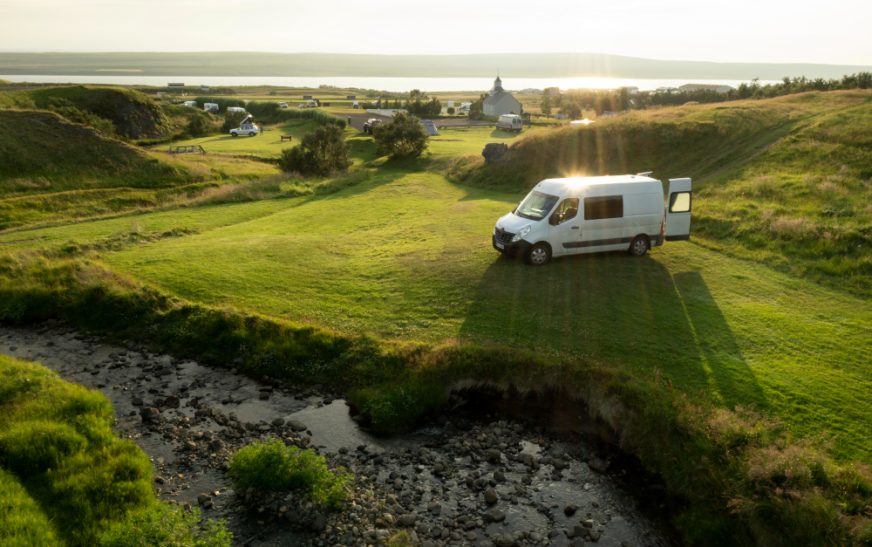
x,y
407,255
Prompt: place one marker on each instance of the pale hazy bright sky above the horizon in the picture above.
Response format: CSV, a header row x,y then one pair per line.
x,y
831,32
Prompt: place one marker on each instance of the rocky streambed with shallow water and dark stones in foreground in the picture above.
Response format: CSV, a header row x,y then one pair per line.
x,y
466,479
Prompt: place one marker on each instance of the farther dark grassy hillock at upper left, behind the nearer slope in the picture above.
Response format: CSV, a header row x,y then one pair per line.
x,y
121,112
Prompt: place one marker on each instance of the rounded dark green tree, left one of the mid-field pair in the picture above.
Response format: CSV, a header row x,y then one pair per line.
x,y
319,153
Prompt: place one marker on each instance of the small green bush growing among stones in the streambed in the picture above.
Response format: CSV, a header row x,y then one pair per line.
x,y
272,466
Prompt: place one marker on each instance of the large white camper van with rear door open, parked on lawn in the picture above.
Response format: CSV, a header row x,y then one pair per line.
x,y
592,214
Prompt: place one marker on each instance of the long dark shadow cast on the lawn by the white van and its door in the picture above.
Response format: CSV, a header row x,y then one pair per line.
x,y
614,309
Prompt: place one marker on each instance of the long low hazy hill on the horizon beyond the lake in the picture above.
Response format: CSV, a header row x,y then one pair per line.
x,y
529,65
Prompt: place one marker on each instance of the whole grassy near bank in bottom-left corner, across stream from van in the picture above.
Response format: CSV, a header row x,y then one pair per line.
x,y
67,480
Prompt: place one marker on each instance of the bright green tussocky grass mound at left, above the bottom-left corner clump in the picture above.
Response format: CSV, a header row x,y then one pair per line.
x,y
56,439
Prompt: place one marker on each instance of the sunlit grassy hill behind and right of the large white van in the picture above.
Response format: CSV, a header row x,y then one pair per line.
x,y
785,181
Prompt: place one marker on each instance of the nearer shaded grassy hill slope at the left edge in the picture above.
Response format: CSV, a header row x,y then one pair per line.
x,y
51,168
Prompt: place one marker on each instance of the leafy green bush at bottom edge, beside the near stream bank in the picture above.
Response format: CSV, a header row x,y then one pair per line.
x,y
168,525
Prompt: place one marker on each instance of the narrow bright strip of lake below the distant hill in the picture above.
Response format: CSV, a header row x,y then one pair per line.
x,y
384,84
